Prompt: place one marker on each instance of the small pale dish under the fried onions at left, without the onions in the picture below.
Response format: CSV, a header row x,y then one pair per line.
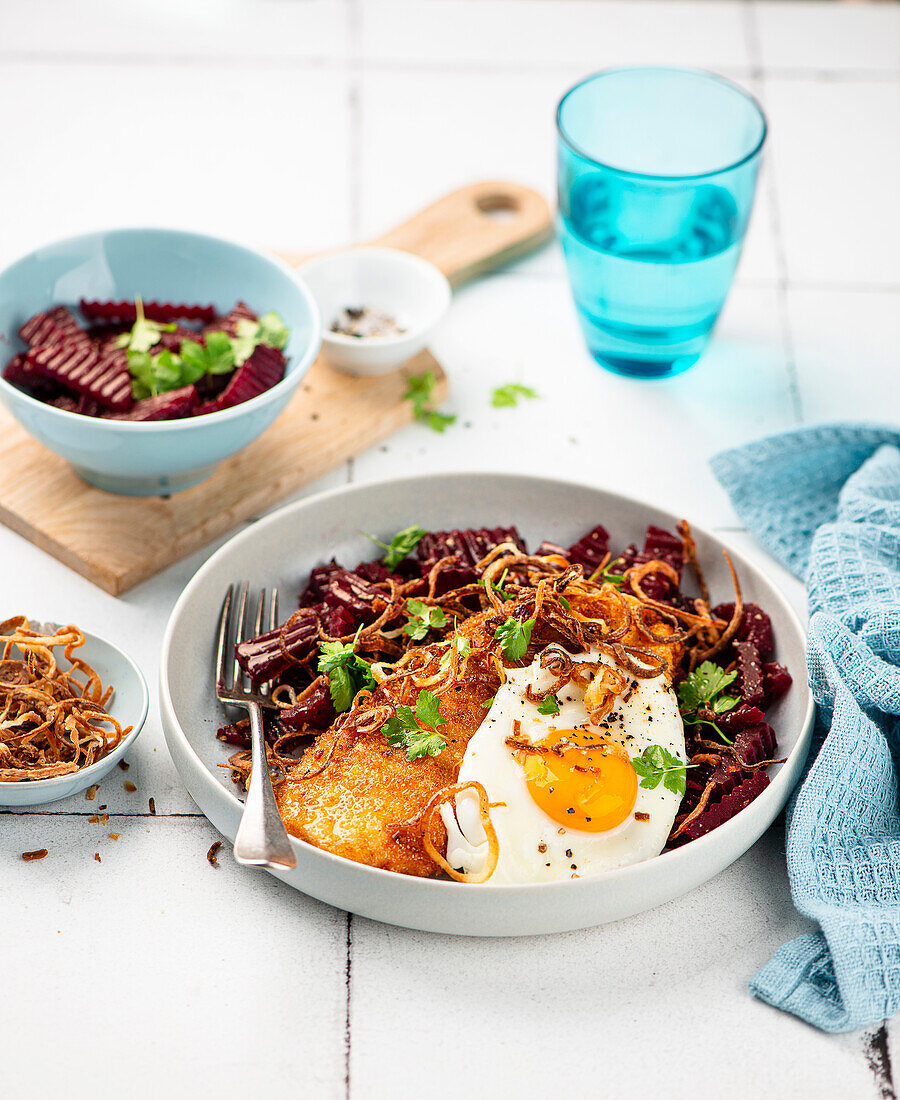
x,y
130,706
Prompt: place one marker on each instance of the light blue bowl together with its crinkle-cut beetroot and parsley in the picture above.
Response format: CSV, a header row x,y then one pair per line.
x,y
144,395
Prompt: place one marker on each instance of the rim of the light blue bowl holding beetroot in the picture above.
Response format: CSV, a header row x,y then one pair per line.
x,y
107,425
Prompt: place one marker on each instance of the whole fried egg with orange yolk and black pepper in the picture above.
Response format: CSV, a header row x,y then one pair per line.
x,y
566,799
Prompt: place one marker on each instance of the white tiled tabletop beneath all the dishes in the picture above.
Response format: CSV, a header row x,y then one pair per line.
x,y
311,123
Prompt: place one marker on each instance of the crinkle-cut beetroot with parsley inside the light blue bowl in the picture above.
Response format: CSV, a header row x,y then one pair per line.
x,y
148,361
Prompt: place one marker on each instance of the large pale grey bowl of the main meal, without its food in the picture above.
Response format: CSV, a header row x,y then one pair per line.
x,y
281,551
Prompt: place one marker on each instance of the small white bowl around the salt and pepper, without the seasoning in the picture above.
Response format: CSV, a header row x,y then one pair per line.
x,y
408,288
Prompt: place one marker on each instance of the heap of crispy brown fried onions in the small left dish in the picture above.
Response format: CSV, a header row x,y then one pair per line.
x,y
53,721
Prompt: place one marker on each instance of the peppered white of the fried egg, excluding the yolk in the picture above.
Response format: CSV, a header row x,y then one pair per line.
x,y
533,846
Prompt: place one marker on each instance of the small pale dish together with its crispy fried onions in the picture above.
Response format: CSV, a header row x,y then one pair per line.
x,y
71,707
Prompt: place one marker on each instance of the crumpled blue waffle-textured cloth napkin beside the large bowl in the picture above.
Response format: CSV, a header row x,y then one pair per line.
x,y
827,502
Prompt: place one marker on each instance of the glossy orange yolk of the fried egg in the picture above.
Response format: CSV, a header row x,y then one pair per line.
x,y
580,779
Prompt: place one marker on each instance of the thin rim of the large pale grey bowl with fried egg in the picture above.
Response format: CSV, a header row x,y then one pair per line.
x,y
774,796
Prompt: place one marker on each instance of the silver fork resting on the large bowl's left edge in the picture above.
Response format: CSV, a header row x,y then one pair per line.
x,y
262,840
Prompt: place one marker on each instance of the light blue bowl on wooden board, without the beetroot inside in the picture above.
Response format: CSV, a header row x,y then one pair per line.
x,y
164,457
